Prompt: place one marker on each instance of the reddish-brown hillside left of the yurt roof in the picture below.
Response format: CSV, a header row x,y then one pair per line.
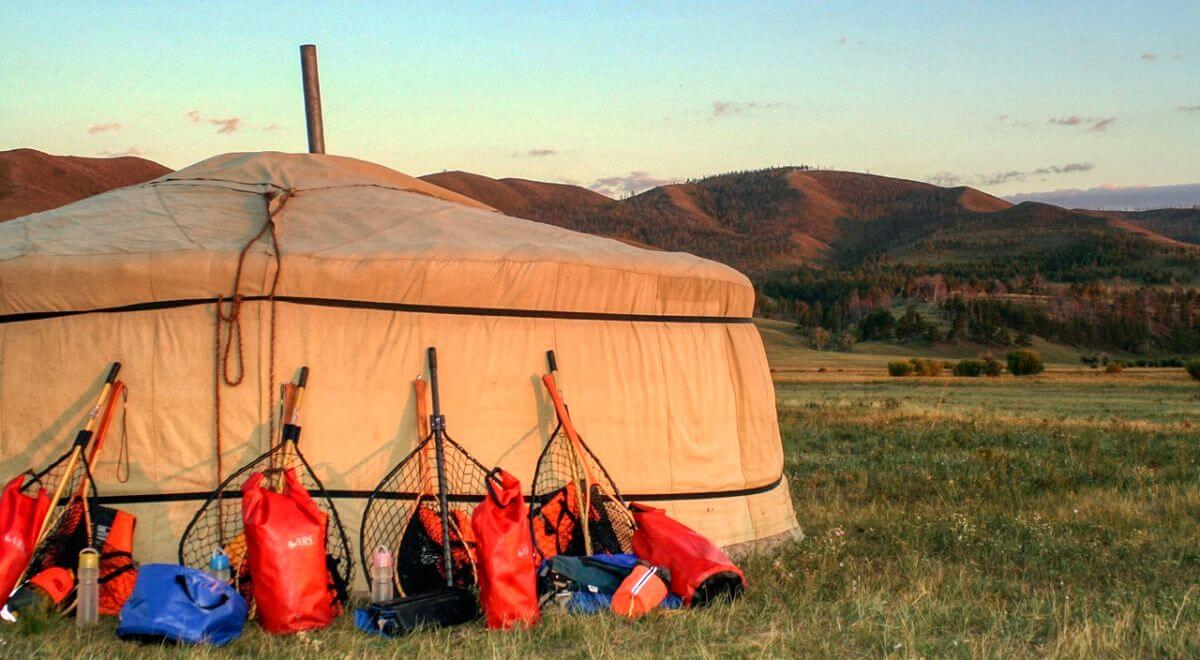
x,y
33,182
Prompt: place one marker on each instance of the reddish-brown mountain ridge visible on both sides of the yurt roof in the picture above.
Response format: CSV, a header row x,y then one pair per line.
x,y
761,221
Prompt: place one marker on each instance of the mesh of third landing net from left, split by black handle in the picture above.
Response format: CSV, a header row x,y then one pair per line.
x,y
403,515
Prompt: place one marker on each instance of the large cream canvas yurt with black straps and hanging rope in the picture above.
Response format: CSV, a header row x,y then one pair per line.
x,y
245,267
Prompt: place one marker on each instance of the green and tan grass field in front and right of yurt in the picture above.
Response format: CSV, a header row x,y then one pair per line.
x,y
1058,515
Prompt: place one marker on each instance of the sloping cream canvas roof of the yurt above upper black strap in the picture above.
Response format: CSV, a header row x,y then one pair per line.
x,y
349,231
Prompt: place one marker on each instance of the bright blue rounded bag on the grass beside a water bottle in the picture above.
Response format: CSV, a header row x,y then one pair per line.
x,y
181,604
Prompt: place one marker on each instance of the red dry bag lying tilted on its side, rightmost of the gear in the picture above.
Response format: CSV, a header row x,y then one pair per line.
x,y
700,572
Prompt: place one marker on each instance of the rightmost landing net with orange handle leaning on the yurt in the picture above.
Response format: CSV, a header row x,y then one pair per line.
x,y
572,487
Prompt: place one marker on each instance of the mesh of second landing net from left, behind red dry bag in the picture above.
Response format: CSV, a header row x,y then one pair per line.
x,y
218,525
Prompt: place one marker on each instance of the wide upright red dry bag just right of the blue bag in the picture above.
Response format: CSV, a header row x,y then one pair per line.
x,y
286,554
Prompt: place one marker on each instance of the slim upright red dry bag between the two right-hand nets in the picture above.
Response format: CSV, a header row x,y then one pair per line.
x,y
507,571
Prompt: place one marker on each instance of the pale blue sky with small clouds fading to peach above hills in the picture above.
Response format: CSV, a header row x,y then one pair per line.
x,y
1010,98
